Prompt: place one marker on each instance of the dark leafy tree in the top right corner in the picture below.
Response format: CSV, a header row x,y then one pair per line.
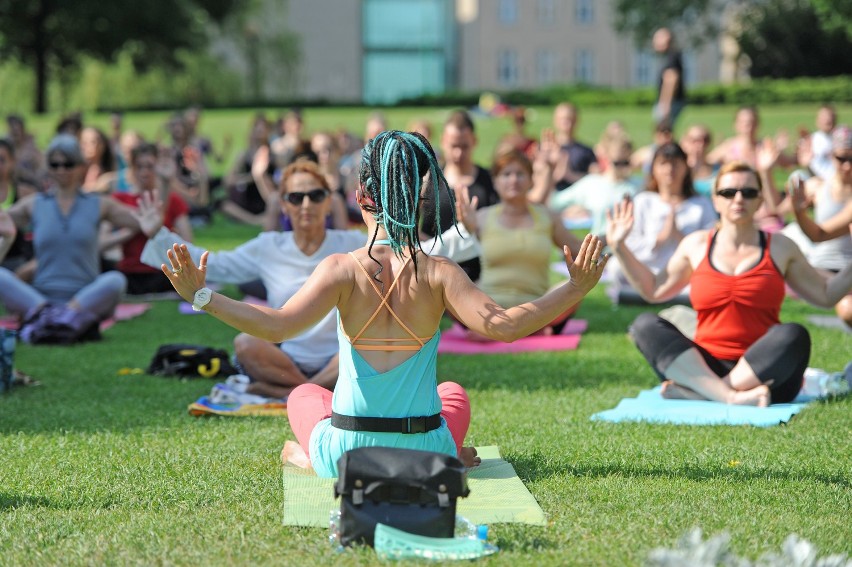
x,y
786,39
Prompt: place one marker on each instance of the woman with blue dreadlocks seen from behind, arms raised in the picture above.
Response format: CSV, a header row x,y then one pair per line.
x,y
390,297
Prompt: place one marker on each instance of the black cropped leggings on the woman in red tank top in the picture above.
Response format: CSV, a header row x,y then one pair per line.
x,y
781,355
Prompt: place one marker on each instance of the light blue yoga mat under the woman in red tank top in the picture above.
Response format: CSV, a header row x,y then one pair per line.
x,y
650,406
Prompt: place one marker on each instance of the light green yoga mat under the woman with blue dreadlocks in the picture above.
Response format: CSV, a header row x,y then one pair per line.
x,y
497,495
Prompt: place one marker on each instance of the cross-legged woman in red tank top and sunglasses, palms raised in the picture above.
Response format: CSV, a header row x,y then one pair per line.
x,y
741,353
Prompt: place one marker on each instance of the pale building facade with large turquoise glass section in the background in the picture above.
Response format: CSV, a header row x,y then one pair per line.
x,y
379,51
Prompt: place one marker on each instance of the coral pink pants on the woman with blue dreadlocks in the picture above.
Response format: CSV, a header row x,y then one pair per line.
x,y
309,404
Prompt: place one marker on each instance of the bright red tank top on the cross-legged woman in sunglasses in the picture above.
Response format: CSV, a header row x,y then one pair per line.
x,y
735,310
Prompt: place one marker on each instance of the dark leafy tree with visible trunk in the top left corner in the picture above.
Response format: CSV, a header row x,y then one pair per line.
x,y
50,35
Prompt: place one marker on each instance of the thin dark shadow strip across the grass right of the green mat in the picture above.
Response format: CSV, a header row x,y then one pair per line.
x,y
538,467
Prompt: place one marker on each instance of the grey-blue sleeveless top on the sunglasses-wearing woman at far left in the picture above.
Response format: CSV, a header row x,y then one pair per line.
x,y
66,246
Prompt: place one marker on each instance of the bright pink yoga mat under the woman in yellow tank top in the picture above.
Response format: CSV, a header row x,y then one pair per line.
x,y
453,341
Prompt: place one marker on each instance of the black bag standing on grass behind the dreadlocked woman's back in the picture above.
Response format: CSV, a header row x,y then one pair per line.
x,y
414,491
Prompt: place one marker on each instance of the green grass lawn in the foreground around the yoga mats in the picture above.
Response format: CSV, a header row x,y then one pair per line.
x,y
102,468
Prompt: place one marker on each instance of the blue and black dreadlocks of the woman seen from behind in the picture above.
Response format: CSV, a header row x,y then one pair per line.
x,y
393,165
